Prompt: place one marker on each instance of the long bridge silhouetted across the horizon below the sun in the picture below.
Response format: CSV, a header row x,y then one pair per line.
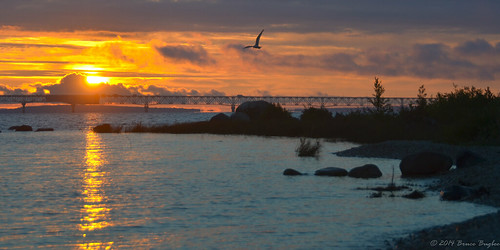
x,y
233,101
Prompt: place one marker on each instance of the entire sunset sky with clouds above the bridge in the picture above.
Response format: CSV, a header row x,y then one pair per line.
x,y
195,47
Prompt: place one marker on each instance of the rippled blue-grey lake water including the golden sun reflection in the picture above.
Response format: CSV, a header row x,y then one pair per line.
x,y
72,188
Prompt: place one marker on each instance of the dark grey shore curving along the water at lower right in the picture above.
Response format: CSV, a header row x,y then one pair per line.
x,y
482,232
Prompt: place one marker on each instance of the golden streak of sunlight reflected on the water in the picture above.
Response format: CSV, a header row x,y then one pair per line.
x,y
95,211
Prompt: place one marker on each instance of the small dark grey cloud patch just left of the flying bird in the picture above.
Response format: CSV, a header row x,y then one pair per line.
x,y
194,54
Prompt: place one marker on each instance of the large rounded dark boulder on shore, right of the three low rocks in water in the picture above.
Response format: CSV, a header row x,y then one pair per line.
x,y
425,164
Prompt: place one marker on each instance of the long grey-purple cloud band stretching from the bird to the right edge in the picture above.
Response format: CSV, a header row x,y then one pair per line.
x,y
432,60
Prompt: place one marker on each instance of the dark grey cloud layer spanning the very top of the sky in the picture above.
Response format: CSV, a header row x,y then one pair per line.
x,y
242,15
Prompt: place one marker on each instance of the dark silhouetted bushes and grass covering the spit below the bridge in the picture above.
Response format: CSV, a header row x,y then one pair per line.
x,y
466,115
